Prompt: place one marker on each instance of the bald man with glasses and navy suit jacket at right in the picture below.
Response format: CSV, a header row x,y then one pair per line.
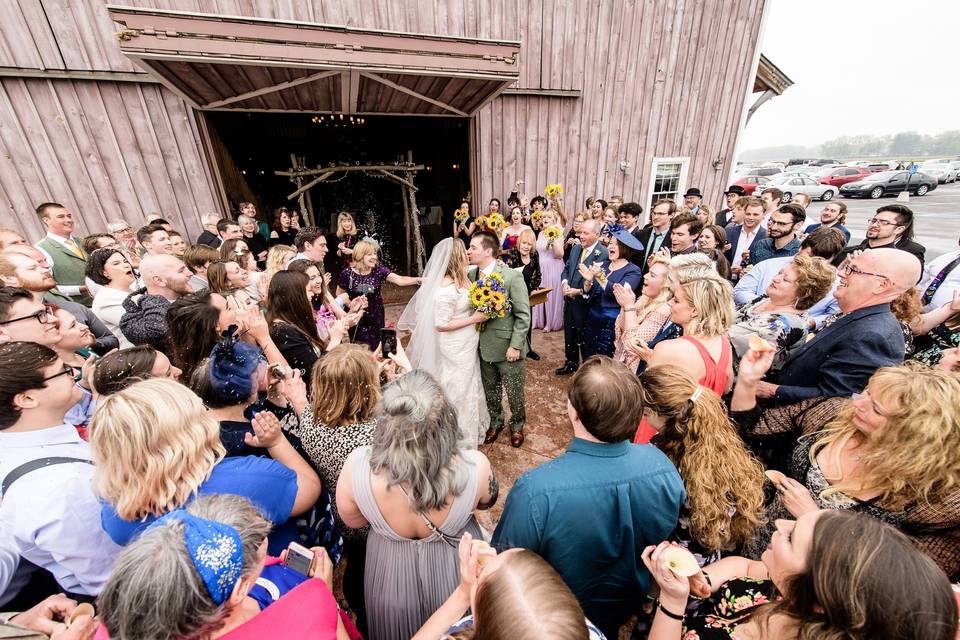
x,y
843,355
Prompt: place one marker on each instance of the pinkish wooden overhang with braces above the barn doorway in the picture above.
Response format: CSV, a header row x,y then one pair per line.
x,y
219,62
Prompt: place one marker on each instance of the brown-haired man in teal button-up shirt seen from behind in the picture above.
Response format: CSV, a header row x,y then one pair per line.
x,y
592,511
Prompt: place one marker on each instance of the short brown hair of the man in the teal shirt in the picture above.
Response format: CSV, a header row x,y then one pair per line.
x,y
607,398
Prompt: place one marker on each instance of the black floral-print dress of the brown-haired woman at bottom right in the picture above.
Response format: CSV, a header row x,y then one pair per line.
x,y
717,617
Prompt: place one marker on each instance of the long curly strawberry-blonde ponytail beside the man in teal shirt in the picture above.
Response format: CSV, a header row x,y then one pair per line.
x,y
724,480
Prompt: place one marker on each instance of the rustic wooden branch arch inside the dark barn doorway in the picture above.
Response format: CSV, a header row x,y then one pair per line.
x,y
402,173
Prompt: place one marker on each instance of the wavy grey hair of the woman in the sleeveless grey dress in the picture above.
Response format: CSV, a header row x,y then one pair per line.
x,y
418,441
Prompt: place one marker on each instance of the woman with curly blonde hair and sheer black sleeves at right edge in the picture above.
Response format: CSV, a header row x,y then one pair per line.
x,y
891,452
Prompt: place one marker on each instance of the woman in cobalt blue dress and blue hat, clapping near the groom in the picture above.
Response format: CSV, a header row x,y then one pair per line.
x,y
599,329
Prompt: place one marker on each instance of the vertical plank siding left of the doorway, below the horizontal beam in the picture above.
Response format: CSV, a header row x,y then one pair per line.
x,y
106,150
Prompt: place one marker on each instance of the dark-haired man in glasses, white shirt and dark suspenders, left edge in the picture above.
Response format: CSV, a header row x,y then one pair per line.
x,y
48,507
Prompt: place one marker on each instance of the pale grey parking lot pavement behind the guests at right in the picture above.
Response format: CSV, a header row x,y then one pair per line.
x,y
937,217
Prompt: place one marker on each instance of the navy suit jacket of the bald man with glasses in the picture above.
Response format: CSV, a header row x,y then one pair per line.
x,y
840,359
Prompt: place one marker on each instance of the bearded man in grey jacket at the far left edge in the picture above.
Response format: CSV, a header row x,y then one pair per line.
x,y
25,266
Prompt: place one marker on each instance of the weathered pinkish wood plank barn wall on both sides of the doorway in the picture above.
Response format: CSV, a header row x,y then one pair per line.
x,y
605,87
